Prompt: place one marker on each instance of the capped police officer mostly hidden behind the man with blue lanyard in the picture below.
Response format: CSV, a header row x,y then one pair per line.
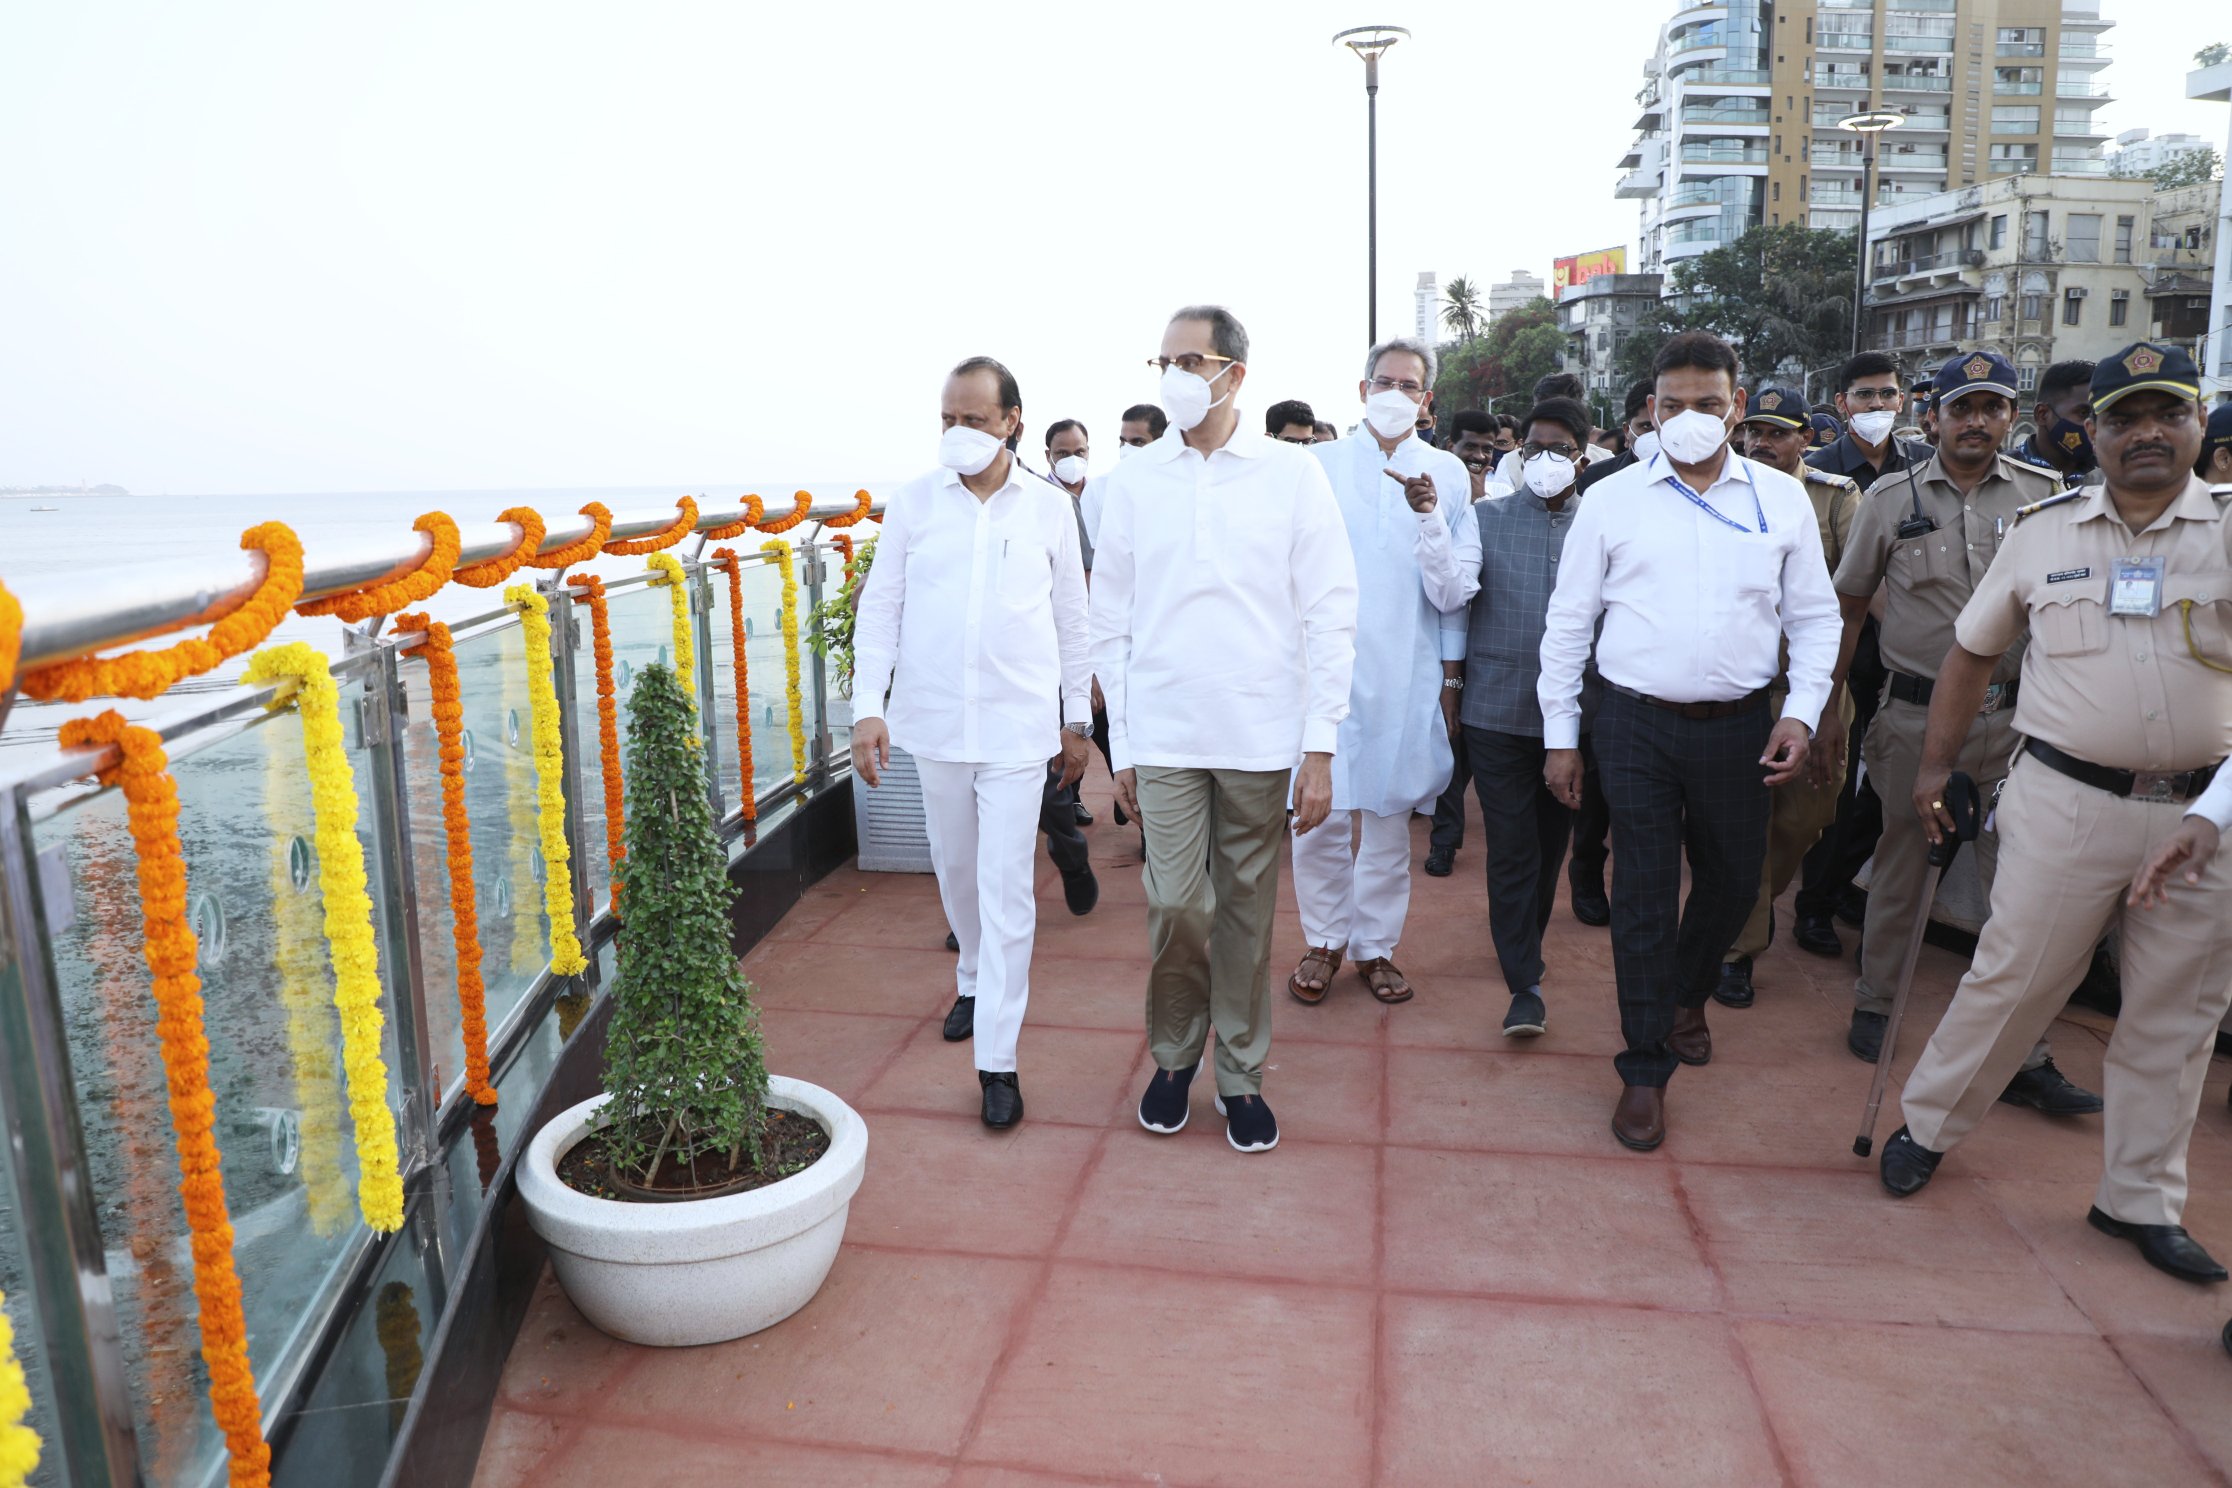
x,y
1776,432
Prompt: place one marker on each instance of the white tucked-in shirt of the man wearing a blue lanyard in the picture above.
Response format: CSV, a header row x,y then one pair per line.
x,y
1693,606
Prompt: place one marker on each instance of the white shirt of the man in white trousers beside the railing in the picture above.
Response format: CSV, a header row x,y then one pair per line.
x,y
974,621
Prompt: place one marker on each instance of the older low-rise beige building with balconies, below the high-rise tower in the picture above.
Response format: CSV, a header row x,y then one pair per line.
x,y
2039,269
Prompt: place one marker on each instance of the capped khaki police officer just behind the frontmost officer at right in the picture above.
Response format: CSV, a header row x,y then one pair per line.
x,y
1927,537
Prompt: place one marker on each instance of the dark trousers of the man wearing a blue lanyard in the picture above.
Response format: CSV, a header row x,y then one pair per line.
x,y
1677,789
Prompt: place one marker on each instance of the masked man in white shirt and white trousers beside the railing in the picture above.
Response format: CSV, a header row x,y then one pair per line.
x,y
974,624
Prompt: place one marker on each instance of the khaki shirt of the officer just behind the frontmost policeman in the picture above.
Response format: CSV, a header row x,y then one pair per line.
x,y
1930,579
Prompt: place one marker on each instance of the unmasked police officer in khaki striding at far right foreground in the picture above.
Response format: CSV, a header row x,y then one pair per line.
x,y
2126,713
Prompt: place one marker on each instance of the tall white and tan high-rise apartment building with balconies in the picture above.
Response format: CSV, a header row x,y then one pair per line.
x,y
1742,104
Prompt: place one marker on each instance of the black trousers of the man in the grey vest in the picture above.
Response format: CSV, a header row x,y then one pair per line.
x,y
1526,842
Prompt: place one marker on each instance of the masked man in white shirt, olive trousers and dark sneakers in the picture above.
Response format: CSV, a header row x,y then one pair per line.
x,y
1224,635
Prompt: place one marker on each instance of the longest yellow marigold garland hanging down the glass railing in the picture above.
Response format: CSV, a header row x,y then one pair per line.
x,y
349,922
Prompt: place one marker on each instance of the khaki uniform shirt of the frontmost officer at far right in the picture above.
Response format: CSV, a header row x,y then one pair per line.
x,y
2117,690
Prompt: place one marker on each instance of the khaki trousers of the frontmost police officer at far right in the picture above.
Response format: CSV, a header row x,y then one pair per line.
x,y
2070,860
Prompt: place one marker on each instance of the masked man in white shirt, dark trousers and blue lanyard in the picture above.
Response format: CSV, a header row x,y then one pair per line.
x,y
1700,563
